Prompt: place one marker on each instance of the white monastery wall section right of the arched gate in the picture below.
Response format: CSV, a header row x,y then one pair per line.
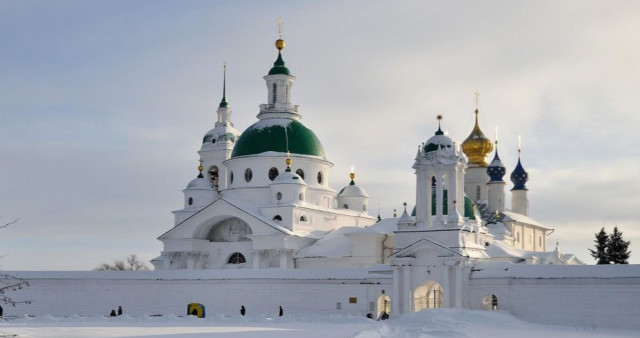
x,y
587,296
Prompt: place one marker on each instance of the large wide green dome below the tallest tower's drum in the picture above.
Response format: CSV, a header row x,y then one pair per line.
x,y
272,134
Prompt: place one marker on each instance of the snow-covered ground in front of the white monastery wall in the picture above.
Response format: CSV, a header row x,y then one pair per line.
x,y
432,323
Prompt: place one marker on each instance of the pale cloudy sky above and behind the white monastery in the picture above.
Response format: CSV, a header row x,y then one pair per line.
x,y
103,105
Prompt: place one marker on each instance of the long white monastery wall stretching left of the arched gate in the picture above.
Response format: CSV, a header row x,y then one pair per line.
x,y
221,292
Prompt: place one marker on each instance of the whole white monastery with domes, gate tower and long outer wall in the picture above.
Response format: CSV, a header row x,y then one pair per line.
x,y
261,227
